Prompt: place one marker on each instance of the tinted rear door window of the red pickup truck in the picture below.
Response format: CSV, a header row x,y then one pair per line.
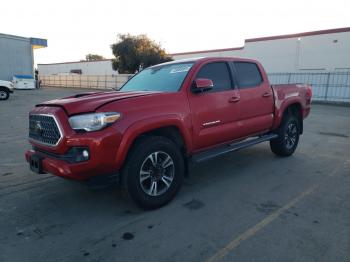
x,y
248,74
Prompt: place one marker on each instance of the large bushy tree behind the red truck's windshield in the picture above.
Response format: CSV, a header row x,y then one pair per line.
x,y
135,52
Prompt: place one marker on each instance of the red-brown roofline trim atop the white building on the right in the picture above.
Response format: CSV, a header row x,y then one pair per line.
x,y
250,40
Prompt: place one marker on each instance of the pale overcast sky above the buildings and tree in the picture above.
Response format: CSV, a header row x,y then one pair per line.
x,y
76,28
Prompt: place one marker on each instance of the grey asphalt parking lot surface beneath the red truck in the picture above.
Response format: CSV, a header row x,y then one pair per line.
x,y
245,206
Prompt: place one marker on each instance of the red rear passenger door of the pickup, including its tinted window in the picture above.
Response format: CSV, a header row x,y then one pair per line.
x,y
256,98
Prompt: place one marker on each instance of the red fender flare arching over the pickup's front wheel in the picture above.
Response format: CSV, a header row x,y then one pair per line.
x,y
147,125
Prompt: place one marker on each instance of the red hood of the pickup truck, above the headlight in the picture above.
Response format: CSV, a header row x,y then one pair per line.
x,y
91,101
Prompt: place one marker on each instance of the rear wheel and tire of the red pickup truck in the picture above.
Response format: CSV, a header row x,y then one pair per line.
x,y
288,136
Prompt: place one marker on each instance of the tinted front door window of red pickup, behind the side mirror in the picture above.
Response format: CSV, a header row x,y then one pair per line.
x,y
218,72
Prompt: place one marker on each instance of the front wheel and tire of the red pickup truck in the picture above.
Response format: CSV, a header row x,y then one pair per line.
x,y
154,172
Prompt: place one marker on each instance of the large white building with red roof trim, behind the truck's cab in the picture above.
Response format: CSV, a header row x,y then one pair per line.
x,y
325,50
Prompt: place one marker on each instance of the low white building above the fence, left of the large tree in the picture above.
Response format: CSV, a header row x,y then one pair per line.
x,y
101,67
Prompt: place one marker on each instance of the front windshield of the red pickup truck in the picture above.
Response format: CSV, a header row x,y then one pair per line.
x,y
164,78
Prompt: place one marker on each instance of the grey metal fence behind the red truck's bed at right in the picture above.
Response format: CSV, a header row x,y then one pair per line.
x,y
331,86
